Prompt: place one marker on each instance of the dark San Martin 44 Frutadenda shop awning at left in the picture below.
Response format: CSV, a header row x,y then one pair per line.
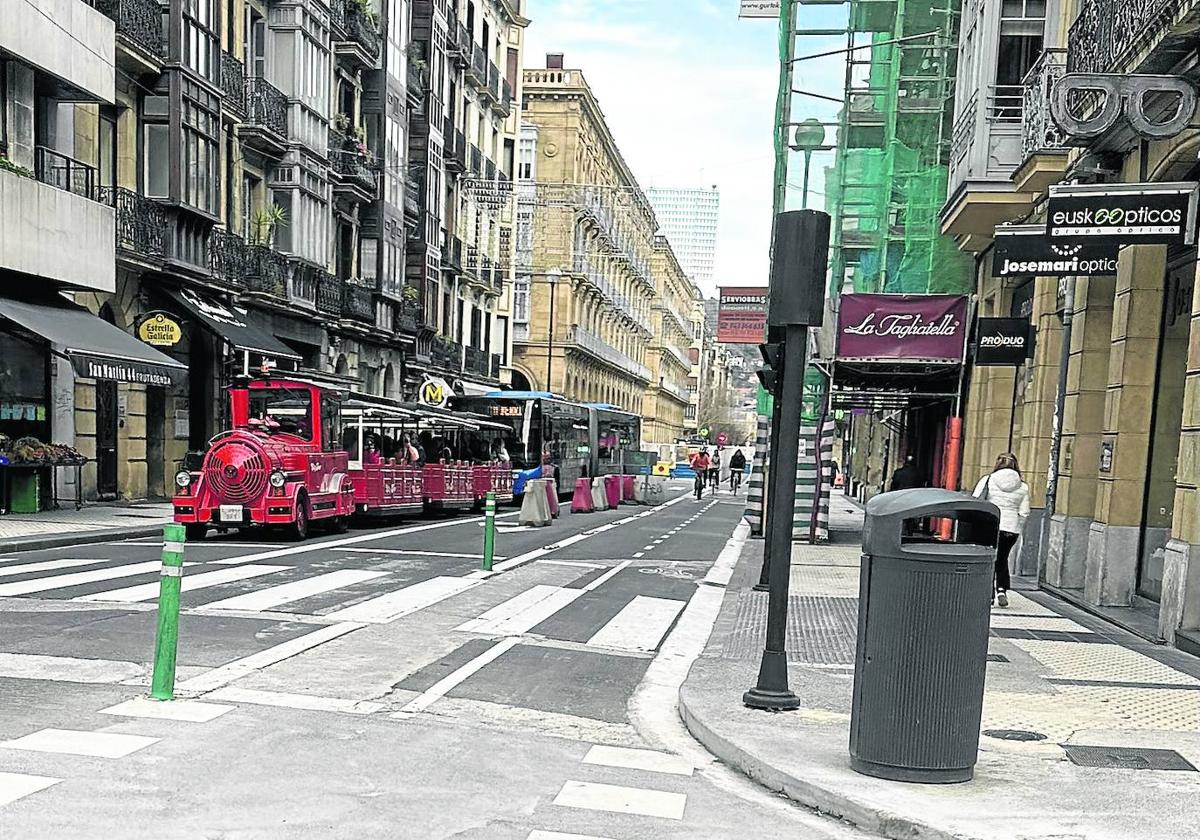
x,y
97,349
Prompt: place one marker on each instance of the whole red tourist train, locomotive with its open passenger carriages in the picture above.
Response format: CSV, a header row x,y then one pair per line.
x,y
301,453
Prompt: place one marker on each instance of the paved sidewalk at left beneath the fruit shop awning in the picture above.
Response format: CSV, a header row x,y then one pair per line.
x,y
94,524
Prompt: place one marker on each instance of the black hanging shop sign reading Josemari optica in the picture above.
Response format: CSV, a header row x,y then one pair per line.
x,y
1025,251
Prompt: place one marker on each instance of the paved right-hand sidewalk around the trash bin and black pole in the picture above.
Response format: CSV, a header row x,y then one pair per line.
x,y
1065,675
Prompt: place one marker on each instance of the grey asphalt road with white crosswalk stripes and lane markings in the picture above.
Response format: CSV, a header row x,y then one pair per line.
x,y
379,685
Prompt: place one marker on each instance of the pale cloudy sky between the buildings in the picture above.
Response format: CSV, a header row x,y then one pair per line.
x,y
689,93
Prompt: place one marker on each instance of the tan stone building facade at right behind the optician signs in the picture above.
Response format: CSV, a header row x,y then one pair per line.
x,y
1115,526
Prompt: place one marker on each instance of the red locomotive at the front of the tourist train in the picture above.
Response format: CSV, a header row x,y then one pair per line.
x,y
281,465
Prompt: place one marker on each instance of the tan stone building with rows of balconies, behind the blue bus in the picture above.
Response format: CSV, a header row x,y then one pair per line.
x,y
586,232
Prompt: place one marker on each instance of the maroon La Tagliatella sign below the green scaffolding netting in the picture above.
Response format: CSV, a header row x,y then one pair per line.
x,y
904,328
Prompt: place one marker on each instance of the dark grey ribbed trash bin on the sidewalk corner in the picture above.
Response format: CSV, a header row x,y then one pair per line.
x,y
922,653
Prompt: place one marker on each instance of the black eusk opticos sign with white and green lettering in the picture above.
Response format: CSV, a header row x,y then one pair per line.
x,y
1123,214
